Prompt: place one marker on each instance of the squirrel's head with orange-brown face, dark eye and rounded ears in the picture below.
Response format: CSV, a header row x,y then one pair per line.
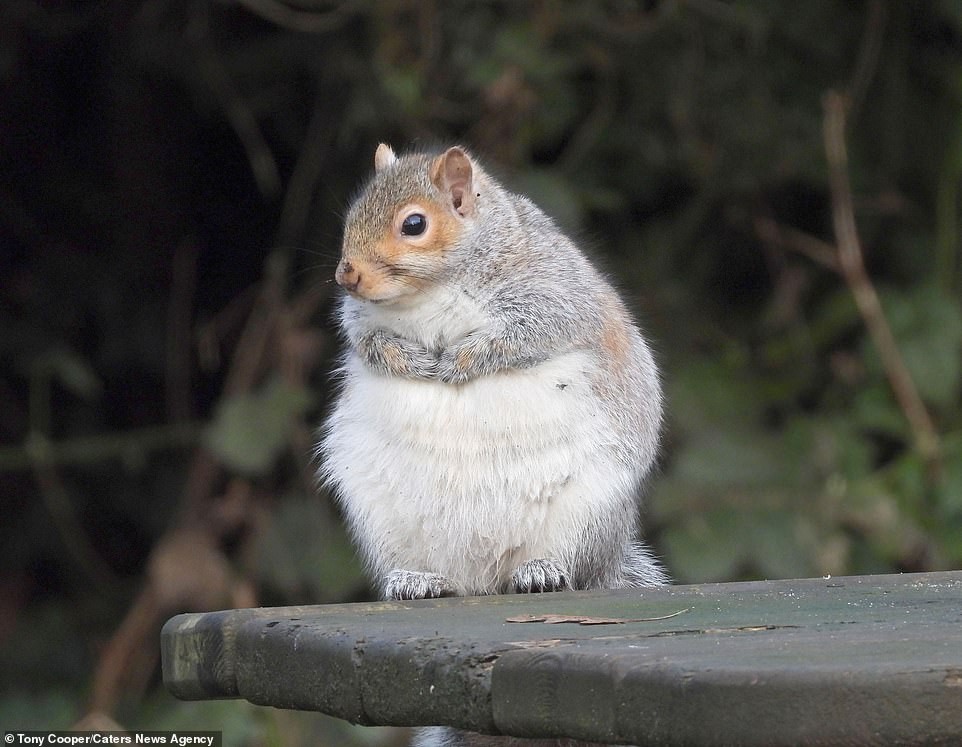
x,y
401,229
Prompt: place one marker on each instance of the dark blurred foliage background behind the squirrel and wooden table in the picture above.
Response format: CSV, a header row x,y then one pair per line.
x,y
172,179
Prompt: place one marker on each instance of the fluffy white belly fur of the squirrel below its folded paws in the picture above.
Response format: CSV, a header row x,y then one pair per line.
x,y
469,481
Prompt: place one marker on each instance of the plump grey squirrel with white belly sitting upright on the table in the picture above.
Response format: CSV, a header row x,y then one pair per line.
x,y
498,409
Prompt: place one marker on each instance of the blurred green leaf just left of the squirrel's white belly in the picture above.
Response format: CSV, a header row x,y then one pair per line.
x,y
250,431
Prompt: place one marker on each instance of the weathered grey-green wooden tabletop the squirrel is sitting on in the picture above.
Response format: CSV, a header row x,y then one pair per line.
x,y
849,660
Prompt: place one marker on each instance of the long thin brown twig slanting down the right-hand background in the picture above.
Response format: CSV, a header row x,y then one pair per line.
x,y
852,267
